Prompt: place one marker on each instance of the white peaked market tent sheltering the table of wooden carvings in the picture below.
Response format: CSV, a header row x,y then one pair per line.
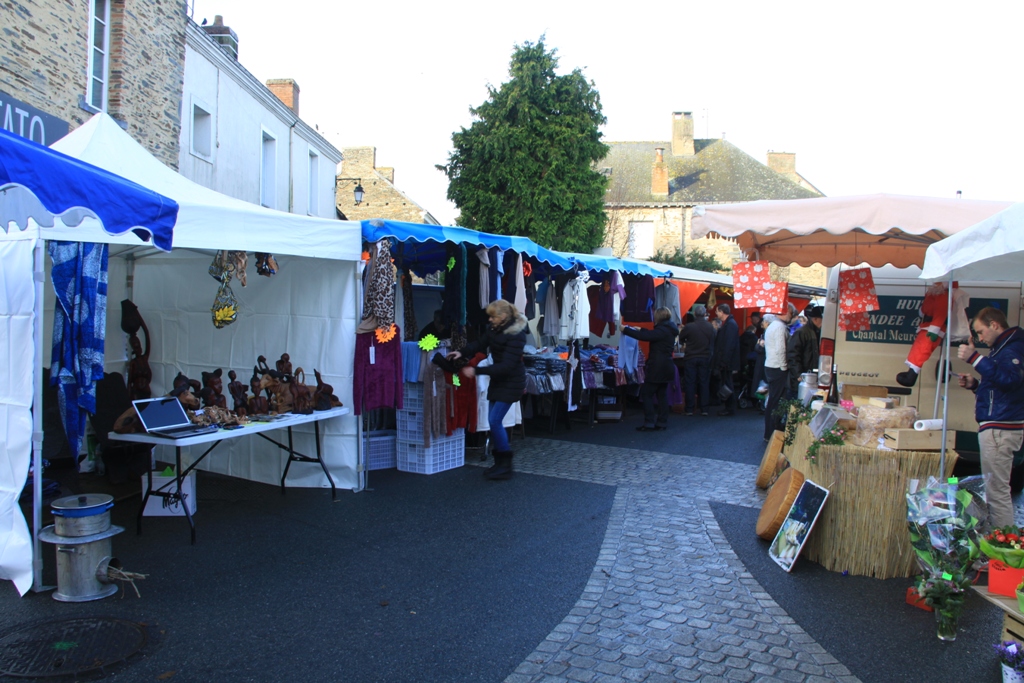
x,y
309,310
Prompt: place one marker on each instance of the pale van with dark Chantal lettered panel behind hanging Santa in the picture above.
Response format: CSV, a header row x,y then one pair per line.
x,y
877,356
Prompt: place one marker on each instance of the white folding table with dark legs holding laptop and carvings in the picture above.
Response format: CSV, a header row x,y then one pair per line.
x,y
173,490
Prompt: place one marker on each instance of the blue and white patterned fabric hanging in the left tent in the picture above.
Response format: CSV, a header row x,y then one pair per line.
x,y
79,330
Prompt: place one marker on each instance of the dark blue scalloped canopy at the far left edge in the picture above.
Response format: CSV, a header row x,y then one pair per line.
x,y
66,187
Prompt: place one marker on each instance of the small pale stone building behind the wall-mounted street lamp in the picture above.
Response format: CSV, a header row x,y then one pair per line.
x,y
381,199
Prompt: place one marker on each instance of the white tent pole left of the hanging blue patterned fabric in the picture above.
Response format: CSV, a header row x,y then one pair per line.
x,y
39,276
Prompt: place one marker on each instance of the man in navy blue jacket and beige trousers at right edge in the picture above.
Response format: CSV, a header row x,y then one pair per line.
x,y
1000,405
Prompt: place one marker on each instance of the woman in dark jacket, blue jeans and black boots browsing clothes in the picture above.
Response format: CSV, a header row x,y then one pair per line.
x,y
505,339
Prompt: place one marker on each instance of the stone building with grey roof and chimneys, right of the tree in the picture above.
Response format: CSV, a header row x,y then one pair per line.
x,y
654,187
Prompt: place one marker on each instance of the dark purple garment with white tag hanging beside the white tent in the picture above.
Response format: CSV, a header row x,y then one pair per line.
x,y
377,373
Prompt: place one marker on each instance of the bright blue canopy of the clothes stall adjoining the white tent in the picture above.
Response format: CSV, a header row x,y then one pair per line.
x,y
421,248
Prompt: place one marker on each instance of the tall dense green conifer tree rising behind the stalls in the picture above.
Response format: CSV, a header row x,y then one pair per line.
x,y
526,165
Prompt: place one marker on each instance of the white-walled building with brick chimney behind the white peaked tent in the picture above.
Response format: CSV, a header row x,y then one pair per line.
x,y
244,139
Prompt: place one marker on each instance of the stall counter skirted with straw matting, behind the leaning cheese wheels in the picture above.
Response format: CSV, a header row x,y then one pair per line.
x,y
863,529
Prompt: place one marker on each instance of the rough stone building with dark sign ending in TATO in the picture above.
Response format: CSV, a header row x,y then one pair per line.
x,y
62,62
